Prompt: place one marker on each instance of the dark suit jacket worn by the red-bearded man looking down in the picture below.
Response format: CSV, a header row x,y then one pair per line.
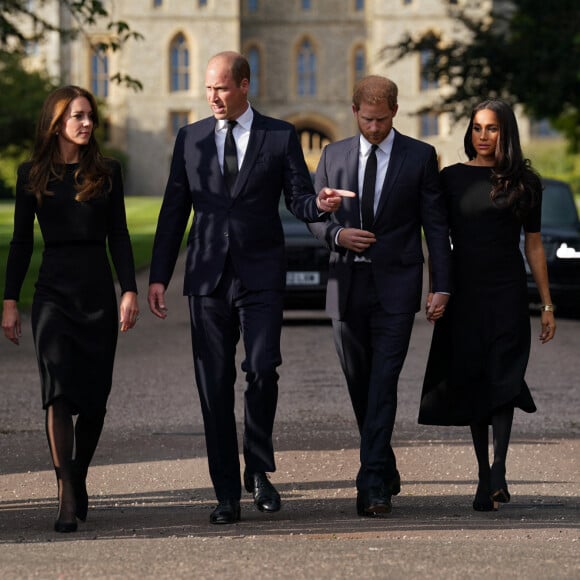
x,y
411,198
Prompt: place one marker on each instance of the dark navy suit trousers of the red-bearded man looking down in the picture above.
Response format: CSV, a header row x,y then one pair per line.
x,y
372,345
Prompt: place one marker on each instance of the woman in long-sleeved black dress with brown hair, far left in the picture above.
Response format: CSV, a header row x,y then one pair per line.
x,y
77,197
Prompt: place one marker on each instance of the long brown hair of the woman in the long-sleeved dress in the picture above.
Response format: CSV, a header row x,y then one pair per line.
x,y
93,176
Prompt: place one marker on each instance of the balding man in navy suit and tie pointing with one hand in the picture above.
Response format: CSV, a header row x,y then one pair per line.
x,y
231,169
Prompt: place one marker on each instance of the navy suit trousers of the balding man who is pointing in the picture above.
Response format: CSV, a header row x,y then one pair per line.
x,y
217,320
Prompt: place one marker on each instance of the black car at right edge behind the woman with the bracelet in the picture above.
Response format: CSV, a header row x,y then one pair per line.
x,y
561,237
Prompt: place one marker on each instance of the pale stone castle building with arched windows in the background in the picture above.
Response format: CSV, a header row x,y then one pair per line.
x,y
305,57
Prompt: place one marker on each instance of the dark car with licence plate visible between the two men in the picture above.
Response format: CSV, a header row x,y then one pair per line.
x,y
307,264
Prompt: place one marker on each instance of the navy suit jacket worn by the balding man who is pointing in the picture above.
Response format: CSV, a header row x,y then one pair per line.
x,y
245,224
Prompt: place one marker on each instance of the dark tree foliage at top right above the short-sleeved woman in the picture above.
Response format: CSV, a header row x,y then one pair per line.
x,y
527,53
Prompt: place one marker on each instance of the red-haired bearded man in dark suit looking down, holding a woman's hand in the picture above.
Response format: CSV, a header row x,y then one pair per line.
x,y
376,264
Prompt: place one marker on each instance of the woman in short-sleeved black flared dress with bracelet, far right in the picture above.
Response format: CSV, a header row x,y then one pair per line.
x,y
480,348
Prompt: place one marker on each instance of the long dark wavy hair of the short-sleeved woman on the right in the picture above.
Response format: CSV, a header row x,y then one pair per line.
x,y
514,183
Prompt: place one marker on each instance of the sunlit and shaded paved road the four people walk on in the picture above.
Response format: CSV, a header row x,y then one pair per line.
x,y
151,495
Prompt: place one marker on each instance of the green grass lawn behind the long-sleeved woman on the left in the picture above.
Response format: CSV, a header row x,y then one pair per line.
x,y
142,215
